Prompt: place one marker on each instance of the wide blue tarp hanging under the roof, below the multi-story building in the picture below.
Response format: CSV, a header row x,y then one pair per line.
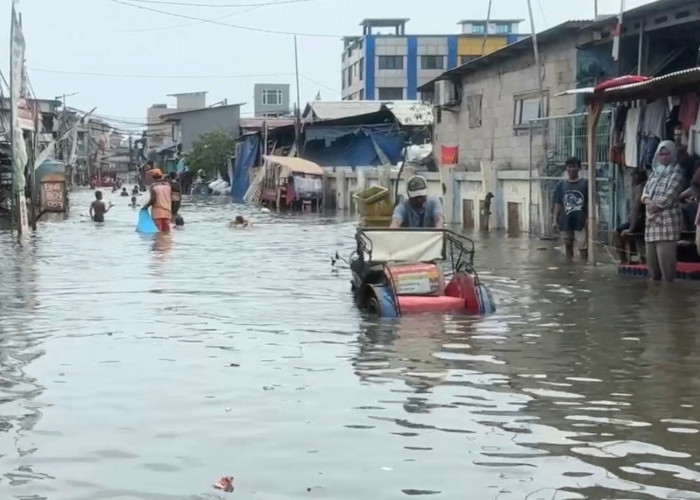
x,y
354,146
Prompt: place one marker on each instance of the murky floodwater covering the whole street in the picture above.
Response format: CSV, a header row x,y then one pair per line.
x,y
147,368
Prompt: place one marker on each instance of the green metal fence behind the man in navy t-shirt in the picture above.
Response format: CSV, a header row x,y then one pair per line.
x,y
552,142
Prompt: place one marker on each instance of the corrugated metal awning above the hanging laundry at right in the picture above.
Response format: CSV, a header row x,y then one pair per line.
x,y
669,84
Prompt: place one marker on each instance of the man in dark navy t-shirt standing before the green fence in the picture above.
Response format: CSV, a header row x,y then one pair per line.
x,y
571,209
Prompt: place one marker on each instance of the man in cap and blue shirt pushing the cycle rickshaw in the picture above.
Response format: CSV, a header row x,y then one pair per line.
x,y
420,210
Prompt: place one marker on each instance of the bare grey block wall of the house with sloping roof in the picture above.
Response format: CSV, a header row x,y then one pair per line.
x,y
498,143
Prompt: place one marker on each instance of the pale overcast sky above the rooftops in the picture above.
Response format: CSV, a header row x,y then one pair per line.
x,y
159,54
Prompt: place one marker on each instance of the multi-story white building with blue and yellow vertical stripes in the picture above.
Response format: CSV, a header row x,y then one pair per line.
x,y
392,66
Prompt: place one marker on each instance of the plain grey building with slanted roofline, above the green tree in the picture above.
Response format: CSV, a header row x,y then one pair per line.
x,y
187,126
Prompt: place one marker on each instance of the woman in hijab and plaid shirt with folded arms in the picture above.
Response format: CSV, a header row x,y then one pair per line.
x,y
661,197
